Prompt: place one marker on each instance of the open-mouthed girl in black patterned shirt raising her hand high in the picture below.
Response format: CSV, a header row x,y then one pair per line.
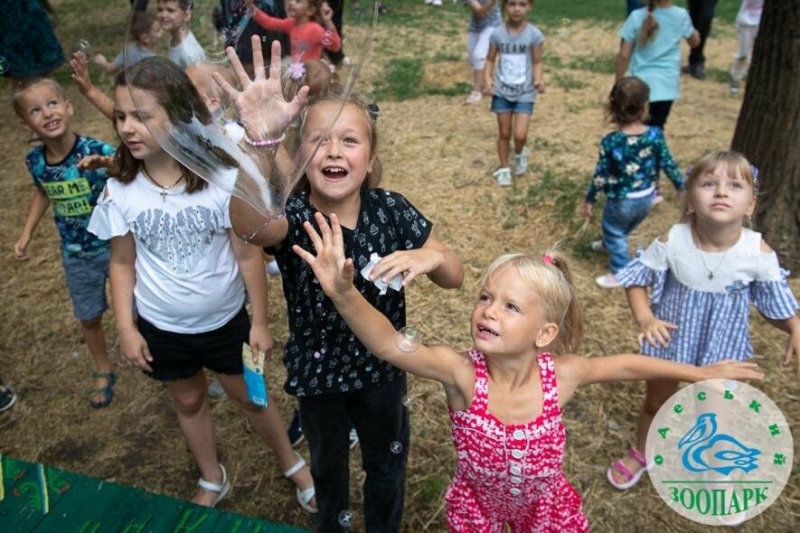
x,y
336,379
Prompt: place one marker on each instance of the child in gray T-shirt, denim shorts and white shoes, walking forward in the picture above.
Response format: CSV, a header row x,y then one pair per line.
x,y
516,48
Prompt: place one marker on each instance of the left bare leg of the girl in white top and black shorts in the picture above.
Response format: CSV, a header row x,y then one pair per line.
x,y
194,417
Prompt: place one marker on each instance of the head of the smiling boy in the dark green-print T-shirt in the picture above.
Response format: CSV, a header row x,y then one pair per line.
x,y
45,111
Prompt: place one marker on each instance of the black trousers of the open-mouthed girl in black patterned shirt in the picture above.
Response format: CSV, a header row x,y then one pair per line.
x,y
381,421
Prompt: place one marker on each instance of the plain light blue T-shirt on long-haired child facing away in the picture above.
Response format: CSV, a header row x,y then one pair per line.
x,y
658,63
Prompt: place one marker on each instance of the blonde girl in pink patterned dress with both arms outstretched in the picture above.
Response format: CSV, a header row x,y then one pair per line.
x,y
505,395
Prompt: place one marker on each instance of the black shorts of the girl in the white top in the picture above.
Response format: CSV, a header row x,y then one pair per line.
x,y
182,355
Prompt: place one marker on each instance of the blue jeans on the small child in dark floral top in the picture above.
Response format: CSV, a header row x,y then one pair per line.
x,y
620,218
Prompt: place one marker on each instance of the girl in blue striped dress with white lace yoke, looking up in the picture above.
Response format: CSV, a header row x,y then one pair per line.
x,y
703,276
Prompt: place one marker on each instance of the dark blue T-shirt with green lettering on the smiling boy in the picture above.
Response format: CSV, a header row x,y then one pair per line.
x,y
73,193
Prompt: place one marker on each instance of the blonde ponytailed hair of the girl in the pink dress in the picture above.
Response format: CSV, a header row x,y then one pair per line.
x,y
549,277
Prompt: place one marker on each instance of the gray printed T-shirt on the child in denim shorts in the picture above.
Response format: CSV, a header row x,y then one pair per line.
x,y
514,73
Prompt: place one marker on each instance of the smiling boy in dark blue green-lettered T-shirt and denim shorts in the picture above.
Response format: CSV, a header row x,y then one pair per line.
x,y
43,107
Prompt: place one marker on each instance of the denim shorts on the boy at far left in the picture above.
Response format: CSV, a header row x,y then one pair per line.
x,y
86,281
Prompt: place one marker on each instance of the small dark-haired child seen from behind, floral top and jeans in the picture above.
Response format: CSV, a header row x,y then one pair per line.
x,y
627,172
